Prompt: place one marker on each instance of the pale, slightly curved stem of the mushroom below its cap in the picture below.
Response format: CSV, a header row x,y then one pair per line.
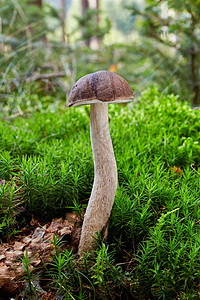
x,y
105,178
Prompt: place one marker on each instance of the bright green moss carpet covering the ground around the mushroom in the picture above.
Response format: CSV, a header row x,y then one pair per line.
x,y
153,247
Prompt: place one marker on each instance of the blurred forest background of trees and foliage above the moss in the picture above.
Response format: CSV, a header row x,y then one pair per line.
x,y
46,45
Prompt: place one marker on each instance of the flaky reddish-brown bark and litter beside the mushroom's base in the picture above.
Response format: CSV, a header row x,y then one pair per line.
x,y
40,248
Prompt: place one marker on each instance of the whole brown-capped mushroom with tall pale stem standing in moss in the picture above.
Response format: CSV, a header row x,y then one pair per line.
x,y
99,89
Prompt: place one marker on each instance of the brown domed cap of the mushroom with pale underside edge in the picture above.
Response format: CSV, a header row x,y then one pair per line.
x,y
101,86
